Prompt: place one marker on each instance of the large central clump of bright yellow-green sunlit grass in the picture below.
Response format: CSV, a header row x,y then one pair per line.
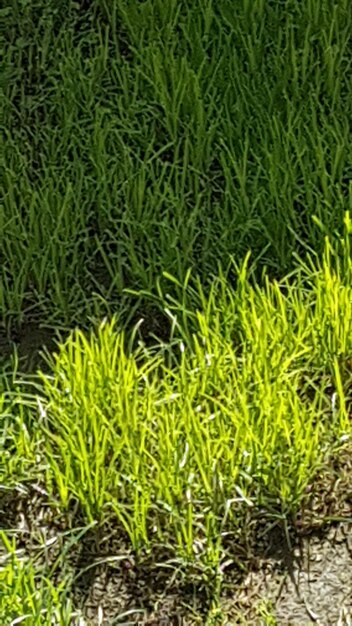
x,y
136,438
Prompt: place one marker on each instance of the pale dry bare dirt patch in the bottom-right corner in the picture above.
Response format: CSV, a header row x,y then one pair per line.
x,y
316,589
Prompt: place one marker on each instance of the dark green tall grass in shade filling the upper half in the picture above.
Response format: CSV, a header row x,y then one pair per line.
x,y
150,137
